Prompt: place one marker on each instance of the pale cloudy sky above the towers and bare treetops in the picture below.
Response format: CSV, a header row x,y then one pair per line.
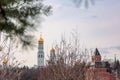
x,y
98,26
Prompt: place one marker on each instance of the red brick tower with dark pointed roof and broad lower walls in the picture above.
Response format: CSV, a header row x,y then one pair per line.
x,y
100,70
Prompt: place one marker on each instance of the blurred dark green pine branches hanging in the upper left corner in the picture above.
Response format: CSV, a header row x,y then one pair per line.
x,y
16,17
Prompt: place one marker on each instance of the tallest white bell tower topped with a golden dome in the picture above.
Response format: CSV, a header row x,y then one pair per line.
x,y
40,55
